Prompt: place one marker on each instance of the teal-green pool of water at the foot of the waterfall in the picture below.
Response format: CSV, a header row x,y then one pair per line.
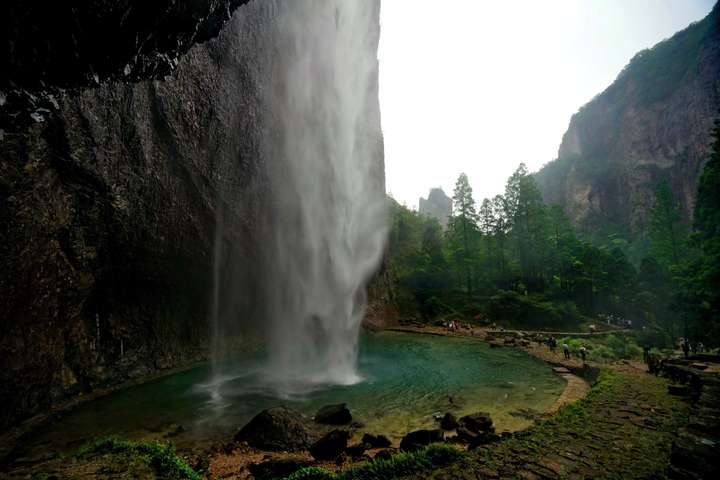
x,y
408,379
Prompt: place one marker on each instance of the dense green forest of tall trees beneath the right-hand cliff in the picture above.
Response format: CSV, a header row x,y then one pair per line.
x,y
517,261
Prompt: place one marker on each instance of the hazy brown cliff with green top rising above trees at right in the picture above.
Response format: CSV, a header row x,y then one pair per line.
x,y
652,124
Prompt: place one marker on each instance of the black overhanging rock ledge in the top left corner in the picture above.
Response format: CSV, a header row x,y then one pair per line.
x,y
81,43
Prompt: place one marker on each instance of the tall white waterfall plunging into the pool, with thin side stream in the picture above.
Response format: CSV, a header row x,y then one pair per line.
x,y
322,150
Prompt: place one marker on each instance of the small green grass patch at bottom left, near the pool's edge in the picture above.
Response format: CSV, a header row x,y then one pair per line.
x,y
161,457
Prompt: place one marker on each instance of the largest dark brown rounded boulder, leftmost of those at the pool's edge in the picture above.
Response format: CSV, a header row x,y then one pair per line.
x,y
277,429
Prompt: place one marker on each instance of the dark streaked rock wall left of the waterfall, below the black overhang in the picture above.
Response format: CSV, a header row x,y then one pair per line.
x,y
110,205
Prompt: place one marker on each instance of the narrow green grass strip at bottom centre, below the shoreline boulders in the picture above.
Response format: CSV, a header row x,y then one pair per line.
x,y
402,464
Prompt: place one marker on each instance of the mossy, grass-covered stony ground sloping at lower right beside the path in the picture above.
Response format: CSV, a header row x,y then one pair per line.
x,y
625,449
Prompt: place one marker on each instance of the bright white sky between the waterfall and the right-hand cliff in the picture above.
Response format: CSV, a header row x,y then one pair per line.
x,y
480,86
